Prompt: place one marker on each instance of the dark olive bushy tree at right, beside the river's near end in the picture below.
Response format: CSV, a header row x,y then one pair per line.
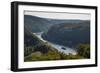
x,y
84,50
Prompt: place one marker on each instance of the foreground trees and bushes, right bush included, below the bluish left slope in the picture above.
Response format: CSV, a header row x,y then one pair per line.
x,y
44,51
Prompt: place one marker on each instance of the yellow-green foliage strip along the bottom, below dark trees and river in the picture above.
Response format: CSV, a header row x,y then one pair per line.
x,y
52,54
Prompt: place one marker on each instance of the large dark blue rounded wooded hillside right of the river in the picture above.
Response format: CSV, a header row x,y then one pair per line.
x,y
69,34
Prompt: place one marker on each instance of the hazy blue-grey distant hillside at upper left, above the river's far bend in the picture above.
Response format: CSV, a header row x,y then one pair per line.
x,y
36,24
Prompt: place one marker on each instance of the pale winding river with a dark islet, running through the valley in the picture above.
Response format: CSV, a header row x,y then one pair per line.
x,y
60,48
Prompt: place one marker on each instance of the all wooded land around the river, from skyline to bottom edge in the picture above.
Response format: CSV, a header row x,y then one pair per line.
x,y
72,33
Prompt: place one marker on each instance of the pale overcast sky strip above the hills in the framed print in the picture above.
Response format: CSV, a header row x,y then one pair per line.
x,y
59,15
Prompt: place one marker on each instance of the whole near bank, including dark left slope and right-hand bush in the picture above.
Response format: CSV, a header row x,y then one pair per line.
x,y
37,50
